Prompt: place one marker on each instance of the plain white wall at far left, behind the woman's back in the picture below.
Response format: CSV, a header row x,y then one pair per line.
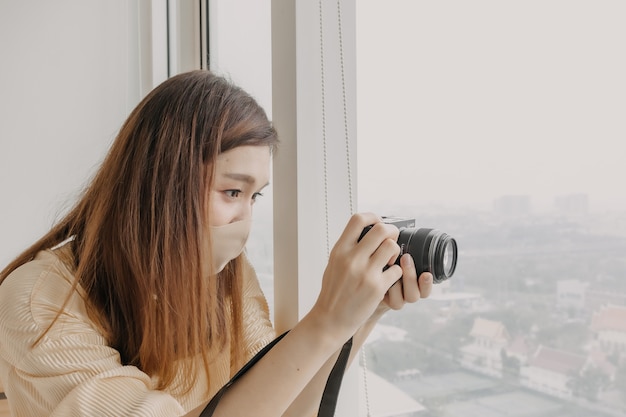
x,y
68,77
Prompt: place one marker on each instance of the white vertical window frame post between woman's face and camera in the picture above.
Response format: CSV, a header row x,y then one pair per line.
x,y
301,230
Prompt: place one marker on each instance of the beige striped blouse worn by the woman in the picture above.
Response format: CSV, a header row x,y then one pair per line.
x,y
72,371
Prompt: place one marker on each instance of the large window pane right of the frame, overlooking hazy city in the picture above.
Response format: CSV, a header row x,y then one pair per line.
x,y
500,123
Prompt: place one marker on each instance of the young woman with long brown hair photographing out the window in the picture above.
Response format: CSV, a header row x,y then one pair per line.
x,y
141,302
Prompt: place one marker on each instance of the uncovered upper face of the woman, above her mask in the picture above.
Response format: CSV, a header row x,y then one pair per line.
x,y
240,175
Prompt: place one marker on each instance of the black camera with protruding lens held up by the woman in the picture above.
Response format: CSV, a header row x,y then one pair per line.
x,y
432,251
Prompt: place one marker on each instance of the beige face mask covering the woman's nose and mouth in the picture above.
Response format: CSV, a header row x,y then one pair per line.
x,y
228,242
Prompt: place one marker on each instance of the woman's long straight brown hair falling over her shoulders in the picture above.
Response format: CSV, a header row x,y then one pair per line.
x,y
137,232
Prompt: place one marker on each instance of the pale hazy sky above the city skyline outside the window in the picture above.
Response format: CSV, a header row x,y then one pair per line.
x,y
462,102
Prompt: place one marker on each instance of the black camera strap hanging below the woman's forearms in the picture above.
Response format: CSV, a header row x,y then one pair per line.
x,y
331,390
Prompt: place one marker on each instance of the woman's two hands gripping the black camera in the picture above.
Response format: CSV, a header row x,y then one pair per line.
x,y
355,281
